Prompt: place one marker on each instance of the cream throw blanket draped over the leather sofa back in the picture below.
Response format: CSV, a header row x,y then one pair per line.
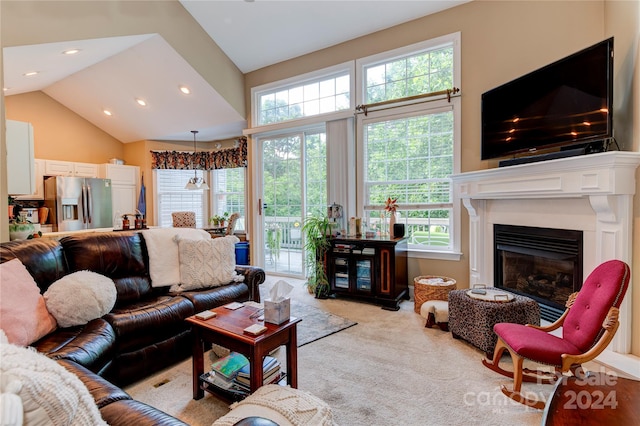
x,y
164,268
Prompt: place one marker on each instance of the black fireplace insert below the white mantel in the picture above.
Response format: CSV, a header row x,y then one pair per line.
x,y
541,263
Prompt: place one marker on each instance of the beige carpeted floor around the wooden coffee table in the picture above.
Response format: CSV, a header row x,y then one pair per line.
x,y
386,370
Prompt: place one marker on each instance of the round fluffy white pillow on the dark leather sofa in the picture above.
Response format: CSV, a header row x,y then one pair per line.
x,y
80,297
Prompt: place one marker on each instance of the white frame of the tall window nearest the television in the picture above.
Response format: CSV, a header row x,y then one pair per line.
x,y
408,108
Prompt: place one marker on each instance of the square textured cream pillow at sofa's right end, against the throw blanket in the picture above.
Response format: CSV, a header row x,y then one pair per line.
x,y
207,263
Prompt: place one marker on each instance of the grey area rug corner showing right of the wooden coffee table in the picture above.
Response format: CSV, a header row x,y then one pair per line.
x,y
316,323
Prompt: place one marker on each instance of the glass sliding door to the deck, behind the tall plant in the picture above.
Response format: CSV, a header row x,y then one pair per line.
x,y
293,184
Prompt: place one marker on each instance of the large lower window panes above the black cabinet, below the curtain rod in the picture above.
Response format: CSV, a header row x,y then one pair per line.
x,y
410,157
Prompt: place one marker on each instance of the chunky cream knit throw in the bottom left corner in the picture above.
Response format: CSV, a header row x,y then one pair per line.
x,y
41,391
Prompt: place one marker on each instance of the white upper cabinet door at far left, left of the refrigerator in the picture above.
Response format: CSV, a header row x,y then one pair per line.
x,y
20,166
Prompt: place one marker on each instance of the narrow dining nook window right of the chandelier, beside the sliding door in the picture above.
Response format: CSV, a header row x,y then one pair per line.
x,y
228,194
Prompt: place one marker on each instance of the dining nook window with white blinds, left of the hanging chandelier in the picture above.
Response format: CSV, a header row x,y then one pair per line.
x,y
172,197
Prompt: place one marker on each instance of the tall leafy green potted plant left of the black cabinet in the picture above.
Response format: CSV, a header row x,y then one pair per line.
x,y
317,234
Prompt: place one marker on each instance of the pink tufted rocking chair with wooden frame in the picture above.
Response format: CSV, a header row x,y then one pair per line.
x,y
588,325
